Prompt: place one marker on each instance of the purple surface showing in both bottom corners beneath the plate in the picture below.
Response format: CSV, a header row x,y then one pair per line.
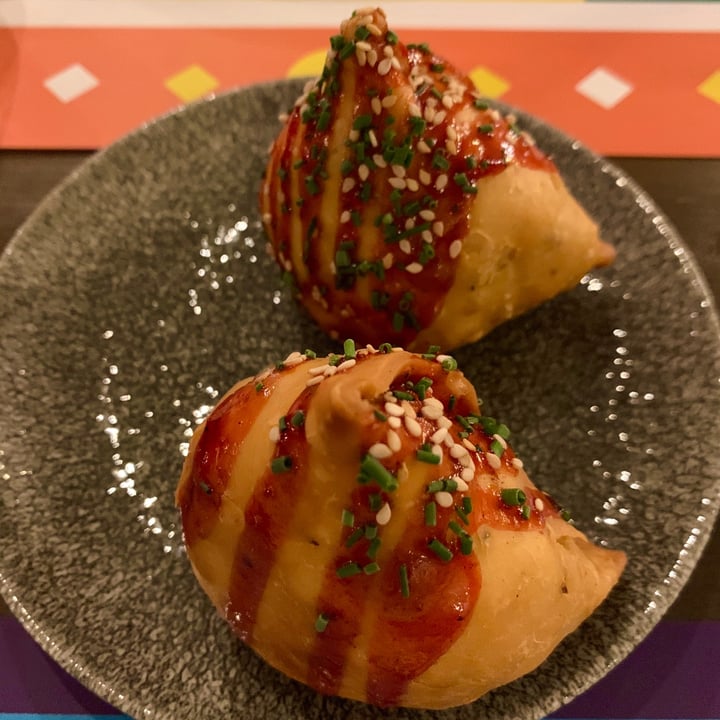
x,y
674,673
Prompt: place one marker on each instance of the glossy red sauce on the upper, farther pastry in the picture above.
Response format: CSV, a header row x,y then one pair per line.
x,y
398,303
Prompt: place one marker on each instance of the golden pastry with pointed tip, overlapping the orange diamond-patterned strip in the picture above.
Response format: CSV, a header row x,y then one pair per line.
x,y
406,209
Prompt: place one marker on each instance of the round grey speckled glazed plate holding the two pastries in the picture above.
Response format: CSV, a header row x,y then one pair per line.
x,y
140,290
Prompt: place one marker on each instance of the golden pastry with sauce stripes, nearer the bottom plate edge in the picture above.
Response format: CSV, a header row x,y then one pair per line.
x,y
362,525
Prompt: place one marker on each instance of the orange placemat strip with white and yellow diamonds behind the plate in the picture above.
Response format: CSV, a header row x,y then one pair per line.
x,y
624,78
